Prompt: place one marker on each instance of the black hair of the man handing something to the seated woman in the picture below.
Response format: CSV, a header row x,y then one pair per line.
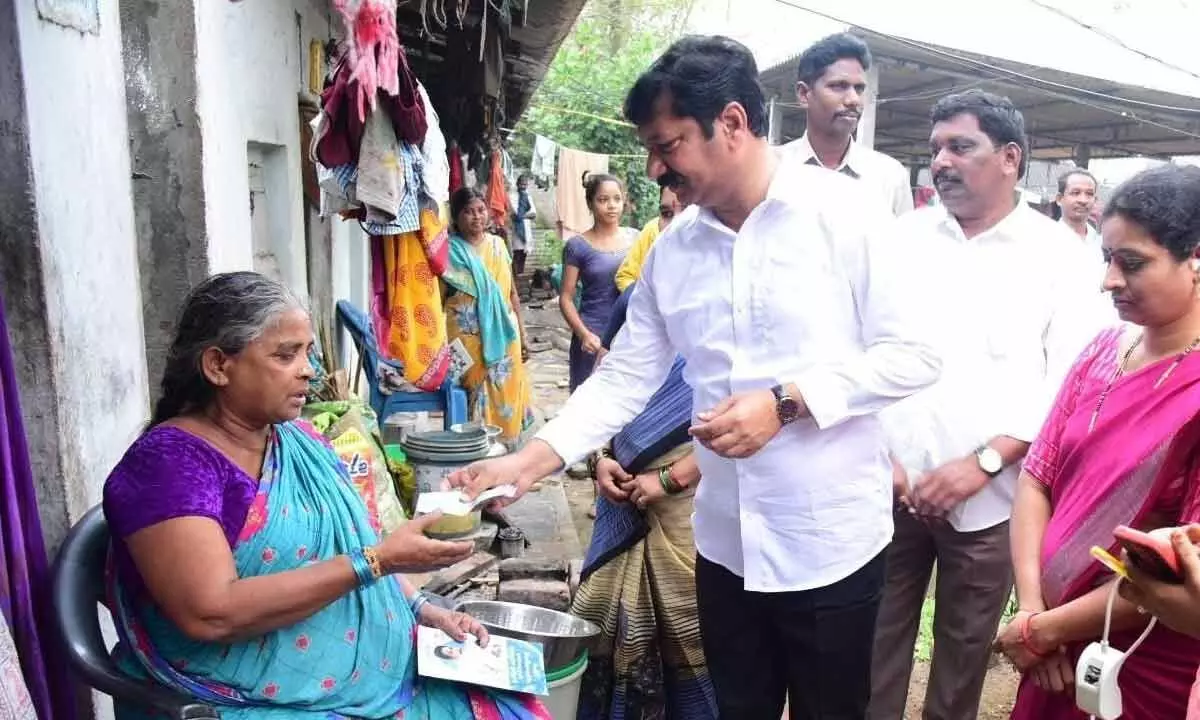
x,y
701,75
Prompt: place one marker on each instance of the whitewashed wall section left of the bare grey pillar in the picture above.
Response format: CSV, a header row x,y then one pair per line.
x,y
69,257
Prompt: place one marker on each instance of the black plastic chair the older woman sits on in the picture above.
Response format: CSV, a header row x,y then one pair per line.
x,y
79,592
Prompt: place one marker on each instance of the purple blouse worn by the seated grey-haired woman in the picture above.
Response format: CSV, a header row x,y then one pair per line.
x,y
171,473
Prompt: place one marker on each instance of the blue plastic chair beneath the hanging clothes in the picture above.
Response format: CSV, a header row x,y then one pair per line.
x,y
451,400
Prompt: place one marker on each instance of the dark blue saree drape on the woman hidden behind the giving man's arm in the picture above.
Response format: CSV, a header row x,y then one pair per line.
x,y
661,428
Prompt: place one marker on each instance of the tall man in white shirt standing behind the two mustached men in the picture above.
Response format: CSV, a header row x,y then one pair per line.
x,y
832,89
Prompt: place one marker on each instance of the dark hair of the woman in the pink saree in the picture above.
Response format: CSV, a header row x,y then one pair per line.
x,y
1166,203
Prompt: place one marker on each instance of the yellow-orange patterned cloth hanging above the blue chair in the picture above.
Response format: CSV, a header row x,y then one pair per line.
x,y
417,332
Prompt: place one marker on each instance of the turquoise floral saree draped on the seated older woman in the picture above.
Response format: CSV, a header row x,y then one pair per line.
x,y
353,659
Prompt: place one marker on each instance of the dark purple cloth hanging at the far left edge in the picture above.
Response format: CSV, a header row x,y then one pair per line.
x,y
25,571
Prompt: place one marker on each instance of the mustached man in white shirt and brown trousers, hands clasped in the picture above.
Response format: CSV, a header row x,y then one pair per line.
x,y
1018,303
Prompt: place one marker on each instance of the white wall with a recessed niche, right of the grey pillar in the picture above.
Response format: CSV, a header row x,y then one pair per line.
x,y
251,65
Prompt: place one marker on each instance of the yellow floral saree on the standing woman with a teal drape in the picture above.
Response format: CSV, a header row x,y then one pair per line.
x,y
500,395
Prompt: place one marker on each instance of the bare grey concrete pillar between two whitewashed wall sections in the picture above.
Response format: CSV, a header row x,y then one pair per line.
x,y
159,49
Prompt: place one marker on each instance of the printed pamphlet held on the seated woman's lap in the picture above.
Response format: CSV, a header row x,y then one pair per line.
x,y
506,664
